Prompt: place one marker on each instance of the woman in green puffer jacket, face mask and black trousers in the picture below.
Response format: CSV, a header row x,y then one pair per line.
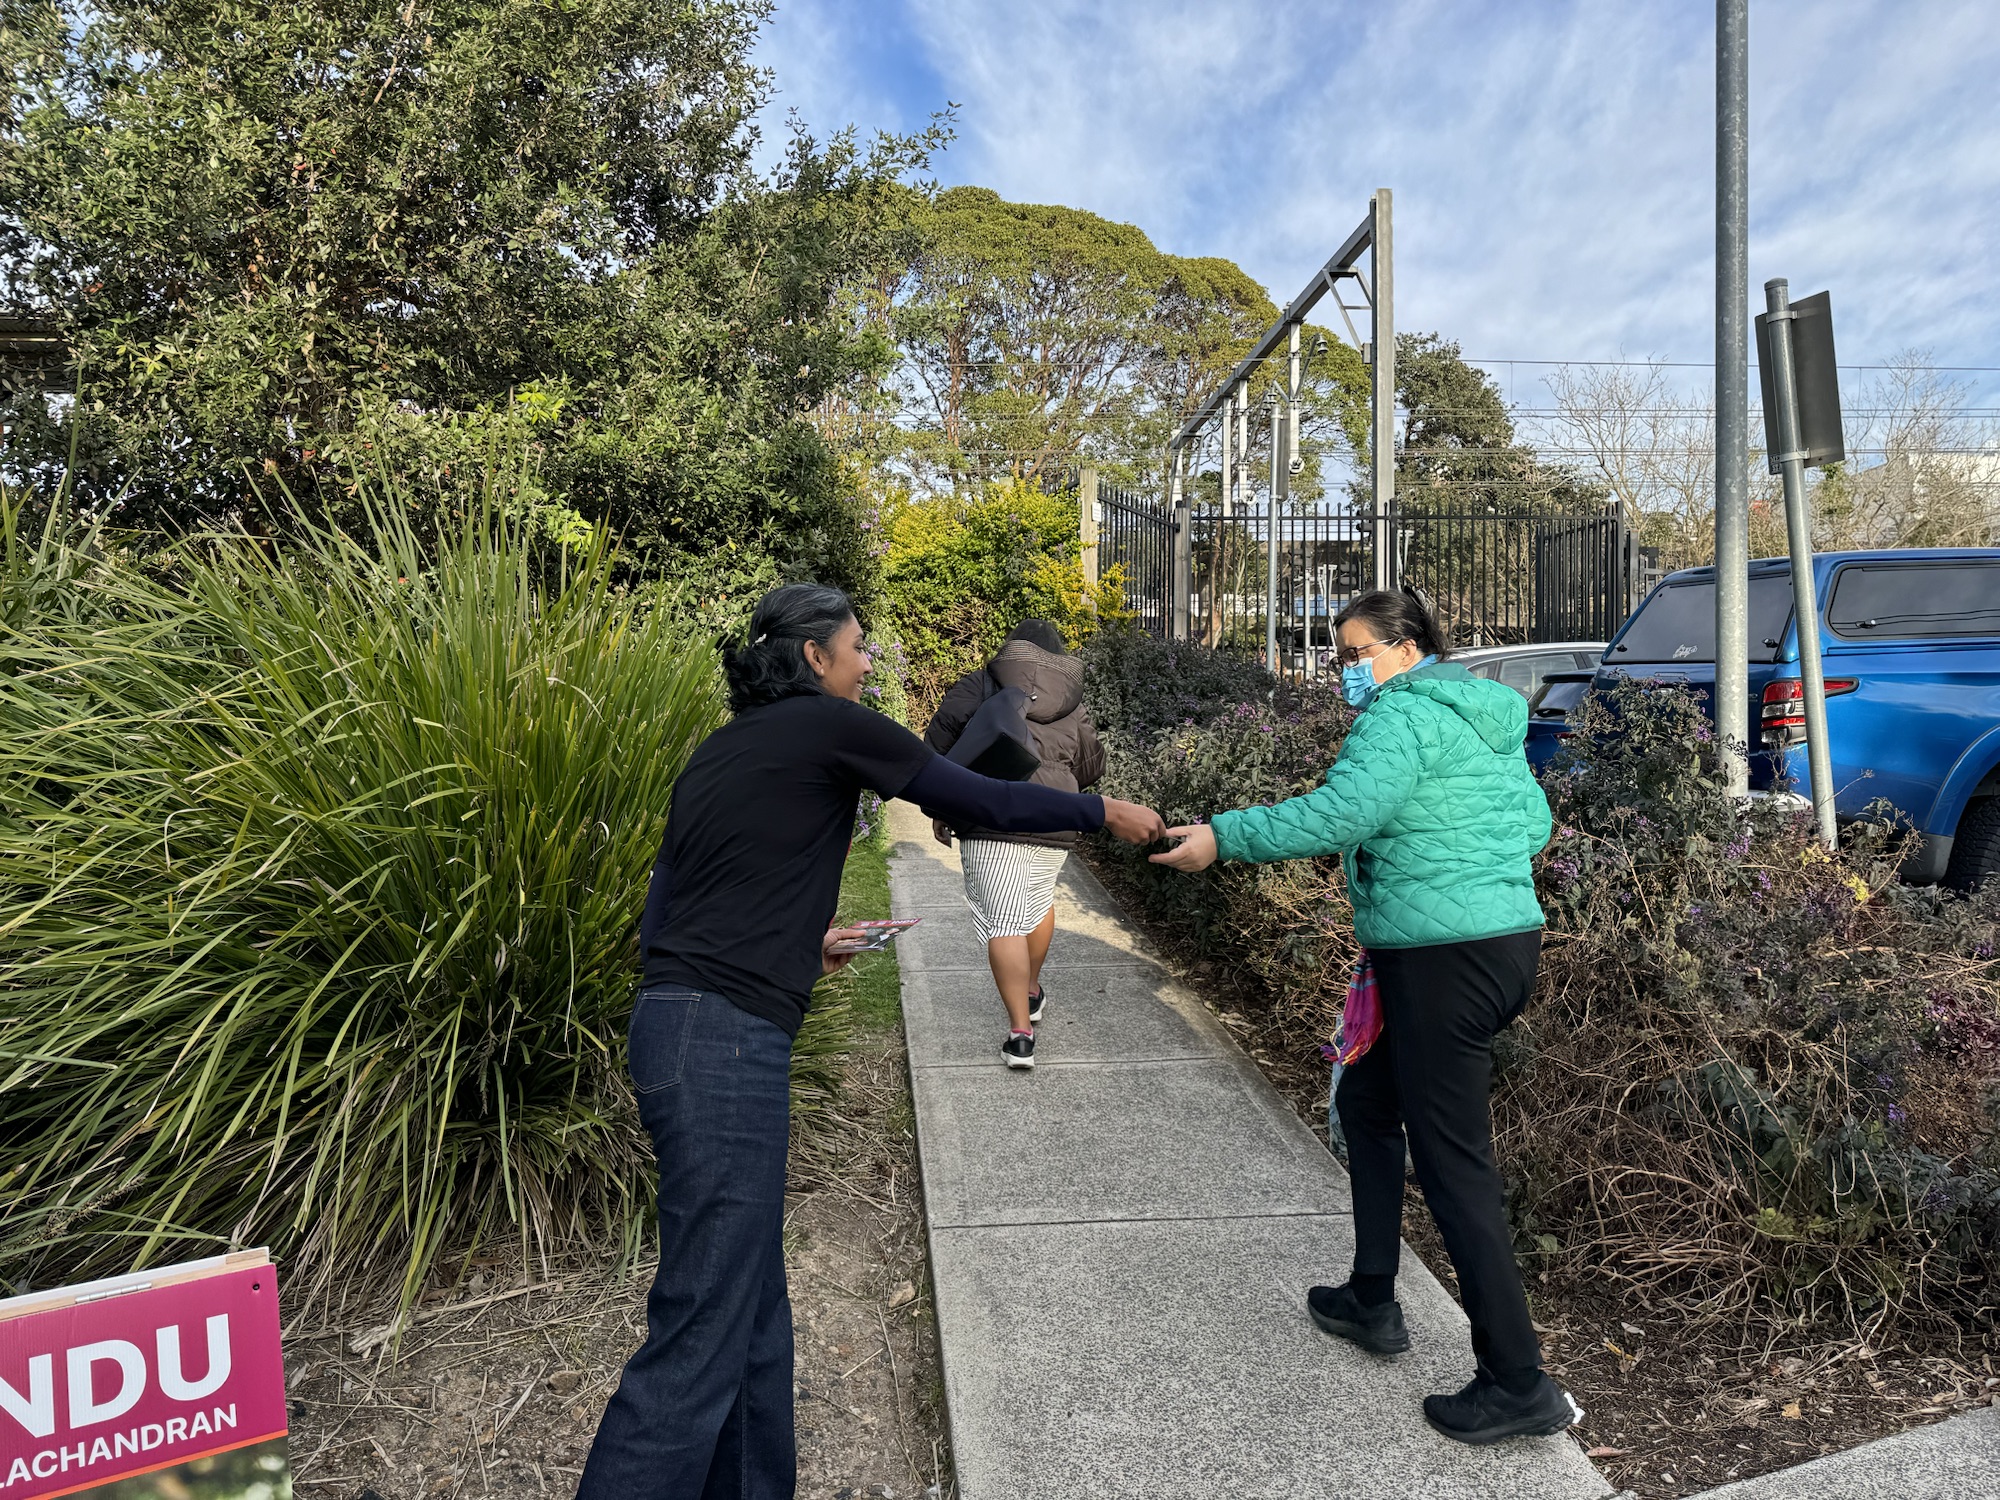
x,y
1437,819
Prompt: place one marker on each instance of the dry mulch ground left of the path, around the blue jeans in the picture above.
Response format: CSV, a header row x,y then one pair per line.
x,y
497,1387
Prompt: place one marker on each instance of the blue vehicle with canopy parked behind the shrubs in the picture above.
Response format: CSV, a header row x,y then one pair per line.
x,y
1911,649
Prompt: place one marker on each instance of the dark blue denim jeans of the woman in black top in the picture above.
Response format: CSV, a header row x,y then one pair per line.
x,y
705,1409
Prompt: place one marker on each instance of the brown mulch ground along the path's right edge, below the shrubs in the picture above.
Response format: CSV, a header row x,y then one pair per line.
x,y
1673,1407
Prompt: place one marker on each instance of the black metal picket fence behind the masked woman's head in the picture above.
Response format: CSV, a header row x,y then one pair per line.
x,y
1495,579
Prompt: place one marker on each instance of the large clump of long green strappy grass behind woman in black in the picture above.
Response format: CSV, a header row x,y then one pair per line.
x,y
319,887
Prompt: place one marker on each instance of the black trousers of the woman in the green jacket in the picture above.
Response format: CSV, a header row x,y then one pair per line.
x,y
1427,1081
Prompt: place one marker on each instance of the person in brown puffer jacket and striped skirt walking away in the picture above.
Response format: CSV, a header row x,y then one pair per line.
x,y
1011,879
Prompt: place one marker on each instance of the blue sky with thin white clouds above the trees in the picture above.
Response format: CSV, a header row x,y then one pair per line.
x,y
1553,163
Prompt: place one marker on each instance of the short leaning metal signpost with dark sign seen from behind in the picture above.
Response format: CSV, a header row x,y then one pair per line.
x,y
1793,449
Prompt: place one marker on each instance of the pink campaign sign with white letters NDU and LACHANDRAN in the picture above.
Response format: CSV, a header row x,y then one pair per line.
x,y
139,1381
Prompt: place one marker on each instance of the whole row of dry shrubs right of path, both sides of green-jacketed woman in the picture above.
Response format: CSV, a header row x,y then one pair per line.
x,y
1757,1081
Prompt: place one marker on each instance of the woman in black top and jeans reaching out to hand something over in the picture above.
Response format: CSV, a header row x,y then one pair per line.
x,y
737,929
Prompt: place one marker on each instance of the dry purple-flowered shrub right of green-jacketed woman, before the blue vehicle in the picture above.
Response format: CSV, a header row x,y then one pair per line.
x,y
1743,1081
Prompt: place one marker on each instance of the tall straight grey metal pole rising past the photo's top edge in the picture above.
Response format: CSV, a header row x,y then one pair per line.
x,y
1733,391
